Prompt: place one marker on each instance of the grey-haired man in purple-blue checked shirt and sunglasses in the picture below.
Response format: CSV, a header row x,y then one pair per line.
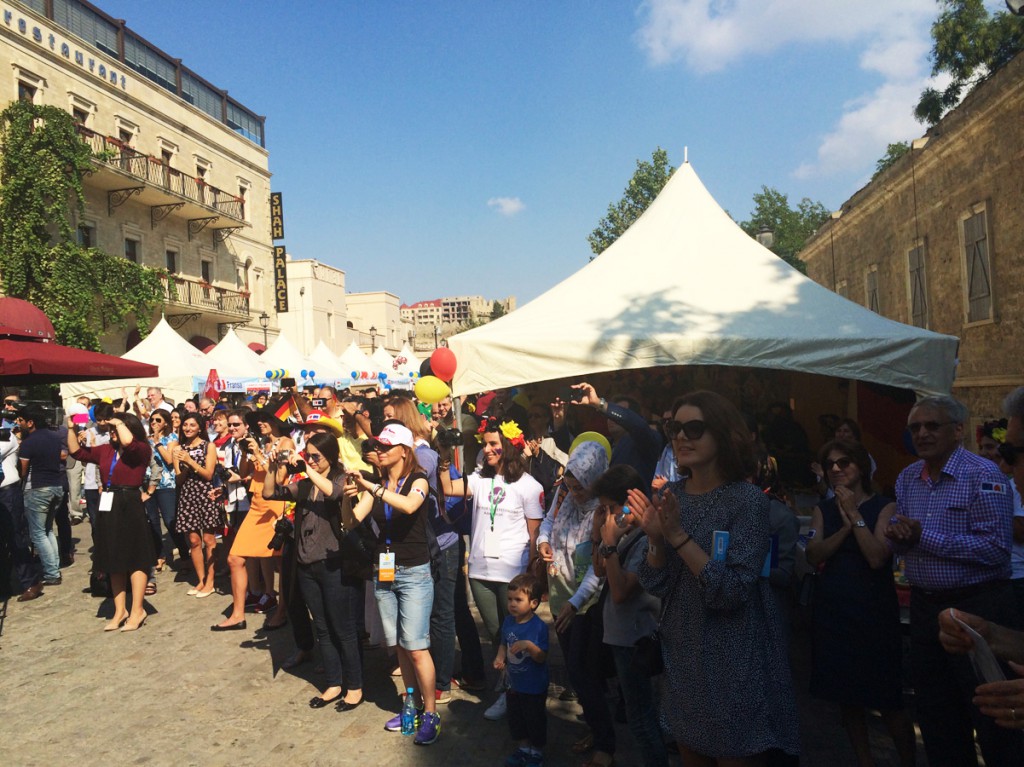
x,y
955,529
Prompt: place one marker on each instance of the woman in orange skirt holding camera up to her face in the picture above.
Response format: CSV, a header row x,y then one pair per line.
x,y
250,555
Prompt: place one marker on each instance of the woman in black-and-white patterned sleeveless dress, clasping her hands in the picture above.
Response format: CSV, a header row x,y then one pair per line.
x,y
198,515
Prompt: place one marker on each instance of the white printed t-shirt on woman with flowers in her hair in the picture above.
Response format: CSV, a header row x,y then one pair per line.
x,y
514,505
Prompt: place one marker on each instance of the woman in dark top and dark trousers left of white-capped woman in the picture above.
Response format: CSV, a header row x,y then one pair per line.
x,y
332,592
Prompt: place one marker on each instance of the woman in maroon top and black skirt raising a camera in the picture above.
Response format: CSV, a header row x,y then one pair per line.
x,y
123,542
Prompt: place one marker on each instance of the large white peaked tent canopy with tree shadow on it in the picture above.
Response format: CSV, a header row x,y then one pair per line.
x,y
685,285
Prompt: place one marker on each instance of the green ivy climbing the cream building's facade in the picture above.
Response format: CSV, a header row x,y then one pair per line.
x,y
83,291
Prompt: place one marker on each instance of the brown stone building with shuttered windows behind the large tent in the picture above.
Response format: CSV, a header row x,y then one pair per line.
x,y
937,240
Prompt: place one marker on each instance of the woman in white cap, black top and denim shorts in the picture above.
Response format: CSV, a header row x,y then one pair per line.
x,y
403,582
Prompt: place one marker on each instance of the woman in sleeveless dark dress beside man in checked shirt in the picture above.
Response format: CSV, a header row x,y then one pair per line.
x,y
856,596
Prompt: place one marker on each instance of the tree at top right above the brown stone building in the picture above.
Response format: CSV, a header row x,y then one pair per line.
x,y
969,45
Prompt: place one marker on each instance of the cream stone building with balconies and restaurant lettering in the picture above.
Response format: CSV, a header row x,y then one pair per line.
x,y
181,178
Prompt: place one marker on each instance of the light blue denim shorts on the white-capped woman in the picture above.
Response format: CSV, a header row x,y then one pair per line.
x,y
405,606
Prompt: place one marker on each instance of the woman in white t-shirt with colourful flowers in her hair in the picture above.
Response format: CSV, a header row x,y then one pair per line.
x,y
508,507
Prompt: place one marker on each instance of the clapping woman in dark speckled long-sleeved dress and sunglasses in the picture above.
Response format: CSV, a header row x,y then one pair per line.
x,y
721,635
